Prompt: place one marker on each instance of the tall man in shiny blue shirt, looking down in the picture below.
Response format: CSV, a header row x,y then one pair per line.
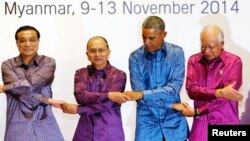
x,y
157,71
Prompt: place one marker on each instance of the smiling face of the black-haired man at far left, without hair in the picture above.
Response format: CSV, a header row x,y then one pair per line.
x,y
27,43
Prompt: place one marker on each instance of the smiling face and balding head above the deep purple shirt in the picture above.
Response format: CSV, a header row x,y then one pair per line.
x,y
98,52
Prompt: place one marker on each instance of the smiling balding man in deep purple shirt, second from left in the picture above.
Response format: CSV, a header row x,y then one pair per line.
x,y
98,91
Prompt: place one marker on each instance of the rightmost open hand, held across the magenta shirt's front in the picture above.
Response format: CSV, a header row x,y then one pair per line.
x,y
229,93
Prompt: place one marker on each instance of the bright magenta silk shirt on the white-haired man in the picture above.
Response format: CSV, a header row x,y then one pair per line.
x,y
203,79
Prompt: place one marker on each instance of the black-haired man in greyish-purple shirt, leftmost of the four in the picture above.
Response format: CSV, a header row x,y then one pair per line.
x,y
27,83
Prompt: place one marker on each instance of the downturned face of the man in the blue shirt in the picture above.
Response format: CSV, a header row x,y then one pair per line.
x,y
153,39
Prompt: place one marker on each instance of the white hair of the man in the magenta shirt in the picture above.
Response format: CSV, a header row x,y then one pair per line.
x,y
212,30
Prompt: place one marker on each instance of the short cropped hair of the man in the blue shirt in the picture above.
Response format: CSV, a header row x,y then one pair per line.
x,y
154,22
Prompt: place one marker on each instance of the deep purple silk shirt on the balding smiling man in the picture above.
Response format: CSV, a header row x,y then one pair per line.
x,y
100,119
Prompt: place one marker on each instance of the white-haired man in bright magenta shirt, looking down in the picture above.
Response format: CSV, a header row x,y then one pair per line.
x,y
214,77
